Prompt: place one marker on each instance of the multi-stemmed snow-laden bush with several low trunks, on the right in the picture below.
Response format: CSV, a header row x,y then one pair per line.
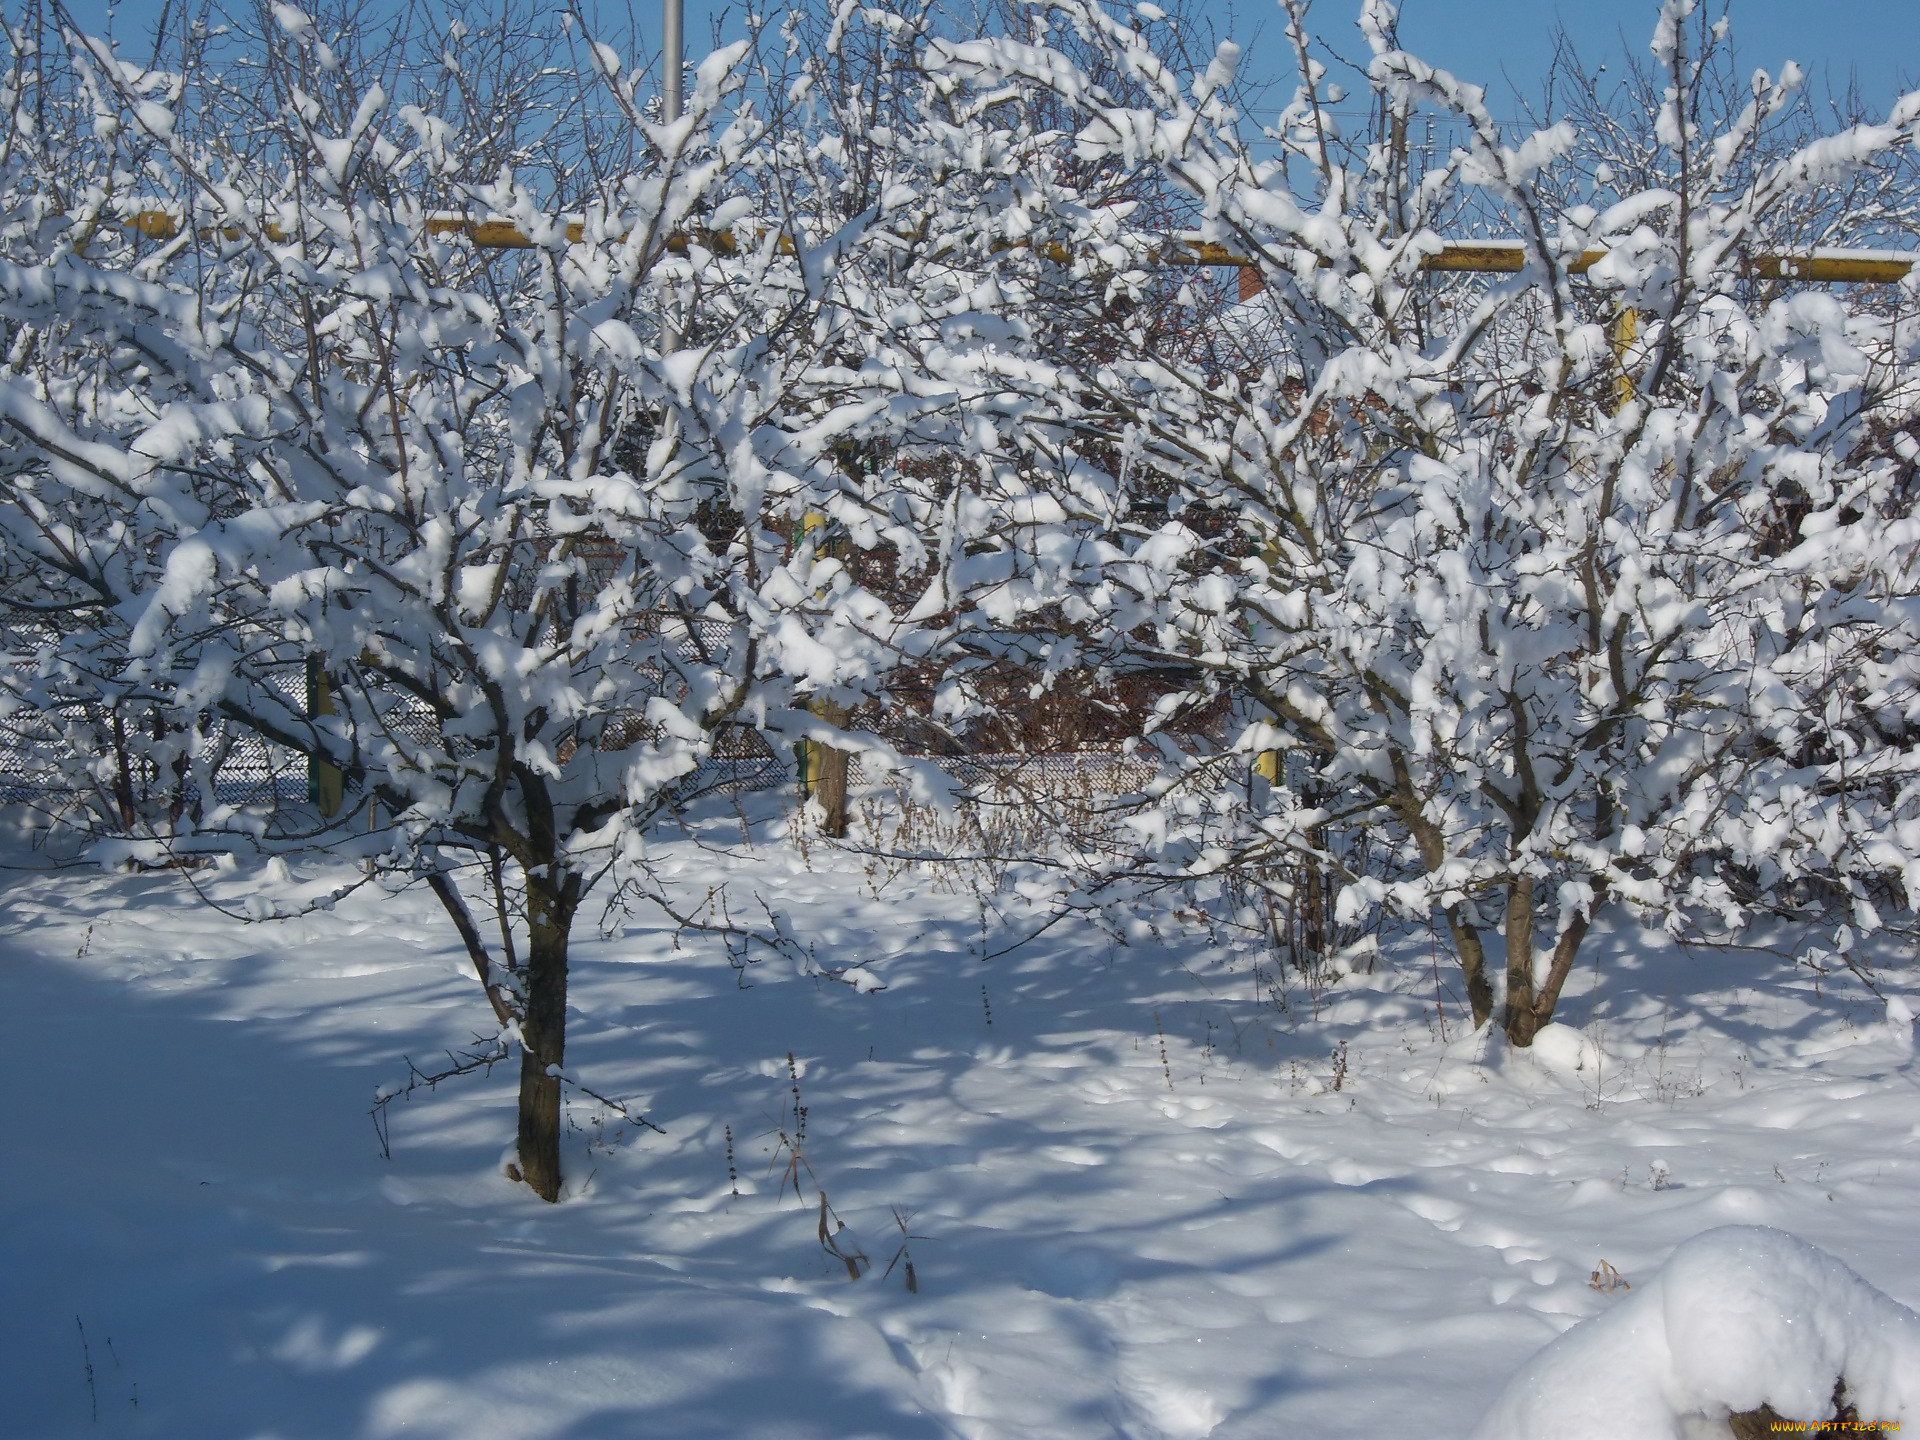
x,y
1577,583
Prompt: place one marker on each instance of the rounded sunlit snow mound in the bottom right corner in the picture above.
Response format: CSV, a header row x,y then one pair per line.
x,y
1739,1318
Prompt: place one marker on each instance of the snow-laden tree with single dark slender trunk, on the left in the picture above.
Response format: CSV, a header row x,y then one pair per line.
x,y
500,540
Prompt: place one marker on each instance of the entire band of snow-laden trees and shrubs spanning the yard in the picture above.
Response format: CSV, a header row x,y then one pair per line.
x,y
1520,594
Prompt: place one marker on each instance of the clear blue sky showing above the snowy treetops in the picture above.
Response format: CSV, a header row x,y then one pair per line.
x,y
1497,43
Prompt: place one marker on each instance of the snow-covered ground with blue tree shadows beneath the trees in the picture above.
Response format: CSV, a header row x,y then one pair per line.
x,y
1145,1199
